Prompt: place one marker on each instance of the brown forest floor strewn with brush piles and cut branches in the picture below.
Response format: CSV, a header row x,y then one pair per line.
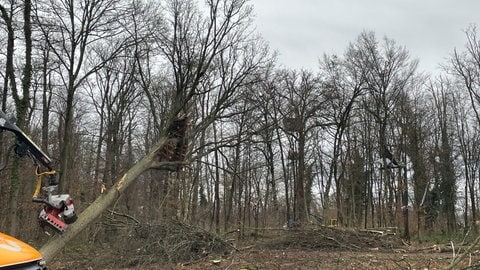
x,y
166,247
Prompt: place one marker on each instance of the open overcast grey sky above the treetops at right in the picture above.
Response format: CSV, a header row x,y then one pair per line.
x,y
303,30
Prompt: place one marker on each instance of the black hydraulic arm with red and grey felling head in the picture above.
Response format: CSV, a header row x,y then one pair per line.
x,y
57,210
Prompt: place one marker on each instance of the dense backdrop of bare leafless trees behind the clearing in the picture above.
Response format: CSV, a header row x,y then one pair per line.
x,y
366,138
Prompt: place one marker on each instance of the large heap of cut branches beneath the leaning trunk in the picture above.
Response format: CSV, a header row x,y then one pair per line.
x,y
122,242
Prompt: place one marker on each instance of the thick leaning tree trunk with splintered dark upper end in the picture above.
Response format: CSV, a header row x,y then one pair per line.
x,y
167,154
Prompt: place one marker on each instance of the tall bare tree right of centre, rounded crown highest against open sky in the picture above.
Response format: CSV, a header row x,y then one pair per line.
x,y
389,70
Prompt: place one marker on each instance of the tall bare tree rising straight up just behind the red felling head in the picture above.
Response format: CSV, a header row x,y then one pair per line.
x,y
72,30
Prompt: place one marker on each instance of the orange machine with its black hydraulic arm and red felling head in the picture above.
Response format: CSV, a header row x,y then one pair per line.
x,y
57,210
